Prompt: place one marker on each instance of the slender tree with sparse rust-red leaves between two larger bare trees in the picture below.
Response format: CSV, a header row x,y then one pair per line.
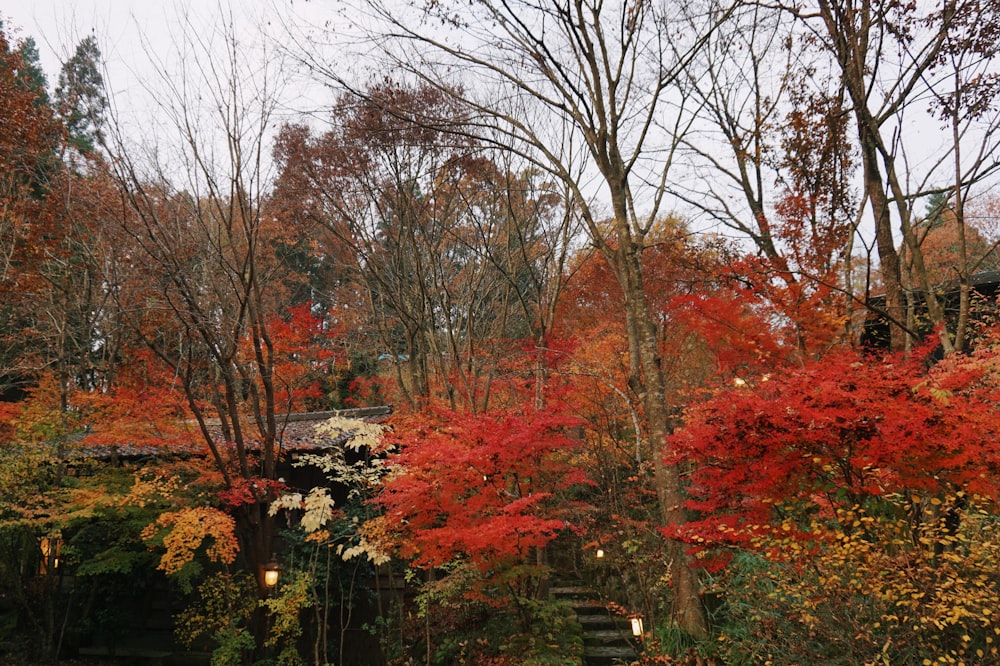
x,y
769,158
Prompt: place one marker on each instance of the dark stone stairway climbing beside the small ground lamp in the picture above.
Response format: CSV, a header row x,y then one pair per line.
x,y
607,639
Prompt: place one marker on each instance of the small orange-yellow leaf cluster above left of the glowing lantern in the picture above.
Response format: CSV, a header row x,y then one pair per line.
x,y
188,530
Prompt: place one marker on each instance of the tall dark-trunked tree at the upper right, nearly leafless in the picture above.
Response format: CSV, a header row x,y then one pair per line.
x,y
891,59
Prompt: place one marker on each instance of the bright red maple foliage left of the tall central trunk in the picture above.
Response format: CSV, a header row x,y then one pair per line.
x,y
482,487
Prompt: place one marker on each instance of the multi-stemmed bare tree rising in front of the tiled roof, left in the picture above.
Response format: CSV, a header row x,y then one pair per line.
x,y
193,272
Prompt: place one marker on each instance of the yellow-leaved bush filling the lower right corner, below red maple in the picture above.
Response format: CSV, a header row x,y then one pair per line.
x,y
879,589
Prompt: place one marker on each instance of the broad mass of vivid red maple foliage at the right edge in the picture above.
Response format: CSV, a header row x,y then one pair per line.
x,y
834,432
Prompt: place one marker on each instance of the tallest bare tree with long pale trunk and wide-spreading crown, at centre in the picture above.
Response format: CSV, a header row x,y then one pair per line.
x,y
581,90
